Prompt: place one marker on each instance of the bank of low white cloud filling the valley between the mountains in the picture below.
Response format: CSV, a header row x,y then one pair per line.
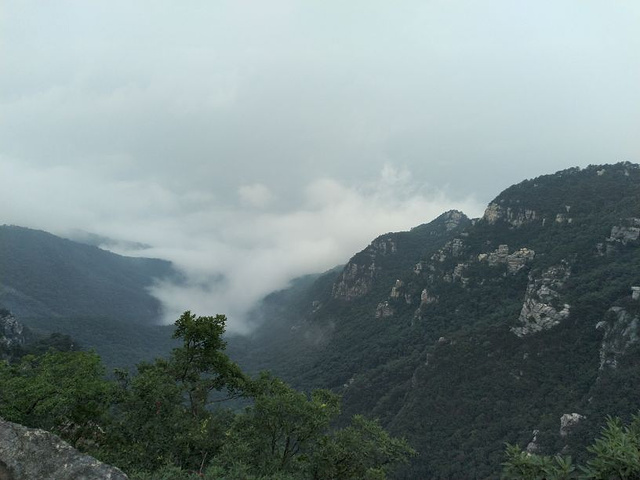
x,y
231,255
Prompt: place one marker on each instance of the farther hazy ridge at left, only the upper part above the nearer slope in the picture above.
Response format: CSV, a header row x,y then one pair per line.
x,y
42,275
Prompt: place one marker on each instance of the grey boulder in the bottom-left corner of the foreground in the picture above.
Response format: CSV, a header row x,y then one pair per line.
x,y
30,454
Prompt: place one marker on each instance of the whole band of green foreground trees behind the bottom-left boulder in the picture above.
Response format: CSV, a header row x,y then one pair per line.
x,y
165,422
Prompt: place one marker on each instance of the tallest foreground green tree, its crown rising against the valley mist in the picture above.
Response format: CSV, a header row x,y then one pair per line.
x,y
163,415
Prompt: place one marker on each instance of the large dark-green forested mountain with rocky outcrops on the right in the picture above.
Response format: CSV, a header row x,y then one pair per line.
x,y
522,326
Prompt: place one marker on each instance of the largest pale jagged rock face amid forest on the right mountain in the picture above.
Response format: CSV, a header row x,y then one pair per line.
x,y
542,309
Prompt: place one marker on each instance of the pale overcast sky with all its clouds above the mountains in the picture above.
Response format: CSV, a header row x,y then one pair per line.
x,y
250,142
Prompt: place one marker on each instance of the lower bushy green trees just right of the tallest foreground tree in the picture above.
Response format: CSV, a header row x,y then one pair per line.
x,y
288,432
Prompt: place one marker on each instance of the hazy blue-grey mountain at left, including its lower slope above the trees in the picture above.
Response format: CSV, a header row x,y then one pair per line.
x,y
98,298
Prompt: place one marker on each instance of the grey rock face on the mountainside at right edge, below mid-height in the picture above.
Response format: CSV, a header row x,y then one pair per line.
x,y
621,330
